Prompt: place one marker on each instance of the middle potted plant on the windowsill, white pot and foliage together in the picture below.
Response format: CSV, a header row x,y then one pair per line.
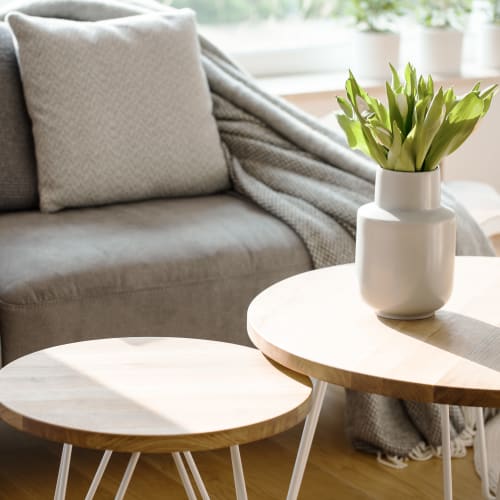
x,y
440,35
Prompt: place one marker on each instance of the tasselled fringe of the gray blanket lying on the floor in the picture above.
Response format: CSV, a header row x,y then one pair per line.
x,y
423,452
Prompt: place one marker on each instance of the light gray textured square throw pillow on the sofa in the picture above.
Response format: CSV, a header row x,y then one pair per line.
x,y
121,109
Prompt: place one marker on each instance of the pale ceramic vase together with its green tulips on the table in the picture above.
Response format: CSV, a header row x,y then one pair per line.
x,y
405,242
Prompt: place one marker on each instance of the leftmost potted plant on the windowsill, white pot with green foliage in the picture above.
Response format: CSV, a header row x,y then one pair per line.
x,y
375,42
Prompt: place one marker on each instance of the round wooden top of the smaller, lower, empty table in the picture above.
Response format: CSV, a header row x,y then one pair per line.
x,y
151,394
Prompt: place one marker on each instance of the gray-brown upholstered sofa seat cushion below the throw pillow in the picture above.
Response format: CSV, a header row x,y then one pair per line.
x,y
179,267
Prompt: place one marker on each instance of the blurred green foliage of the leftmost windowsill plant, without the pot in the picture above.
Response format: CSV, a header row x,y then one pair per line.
x,y
375,15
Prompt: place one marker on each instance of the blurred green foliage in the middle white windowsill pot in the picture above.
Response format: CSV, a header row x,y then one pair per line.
x,y
442,13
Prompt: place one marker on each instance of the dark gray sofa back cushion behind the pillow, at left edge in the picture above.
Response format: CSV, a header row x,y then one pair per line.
x,y
18,190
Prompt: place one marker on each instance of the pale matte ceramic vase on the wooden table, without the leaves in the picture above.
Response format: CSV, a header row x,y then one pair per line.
x,y
405,245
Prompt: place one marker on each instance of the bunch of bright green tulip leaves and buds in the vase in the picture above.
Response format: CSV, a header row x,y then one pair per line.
x,y
417,128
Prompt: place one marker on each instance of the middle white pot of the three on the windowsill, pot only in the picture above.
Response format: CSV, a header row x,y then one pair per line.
x,y
439,51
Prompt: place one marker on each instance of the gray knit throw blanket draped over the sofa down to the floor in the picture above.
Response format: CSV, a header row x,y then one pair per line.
x,y
303,173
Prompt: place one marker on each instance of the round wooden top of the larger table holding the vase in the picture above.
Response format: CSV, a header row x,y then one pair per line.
x,y
317,323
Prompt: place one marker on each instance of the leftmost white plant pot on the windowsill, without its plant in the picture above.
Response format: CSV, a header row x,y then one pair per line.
x,y
372,52
